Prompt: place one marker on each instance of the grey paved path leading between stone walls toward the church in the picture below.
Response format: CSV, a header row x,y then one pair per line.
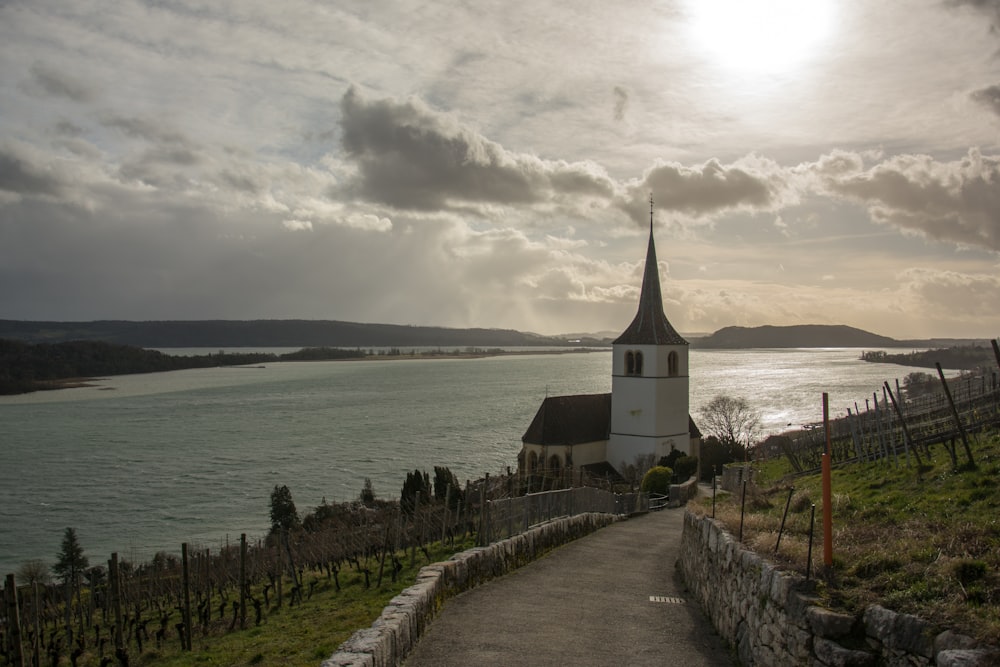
x,y
585,603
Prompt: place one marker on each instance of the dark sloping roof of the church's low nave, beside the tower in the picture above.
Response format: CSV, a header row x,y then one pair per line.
x,y
570,420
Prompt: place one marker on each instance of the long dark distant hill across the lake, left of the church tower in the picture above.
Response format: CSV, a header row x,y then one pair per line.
x,y
266,333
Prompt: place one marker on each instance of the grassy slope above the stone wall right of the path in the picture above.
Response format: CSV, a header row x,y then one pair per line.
x,y
927,545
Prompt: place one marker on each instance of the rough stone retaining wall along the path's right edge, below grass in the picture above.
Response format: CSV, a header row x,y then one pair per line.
x,y
772,619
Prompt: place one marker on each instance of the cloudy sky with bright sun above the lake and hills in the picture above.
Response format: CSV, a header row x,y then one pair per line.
x,y
490,164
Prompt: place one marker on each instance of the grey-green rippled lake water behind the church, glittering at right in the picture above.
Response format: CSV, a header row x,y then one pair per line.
x,y
142,463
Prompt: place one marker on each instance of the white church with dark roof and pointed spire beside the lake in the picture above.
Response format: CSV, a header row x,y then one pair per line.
x,y
646,415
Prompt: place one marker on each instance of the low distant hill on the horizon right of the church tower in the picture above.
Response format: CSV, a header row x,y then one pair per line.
x,y
803,335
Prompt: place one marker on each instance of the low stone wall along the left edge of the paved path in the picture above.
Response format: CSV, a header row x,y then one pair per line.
x,y
391,637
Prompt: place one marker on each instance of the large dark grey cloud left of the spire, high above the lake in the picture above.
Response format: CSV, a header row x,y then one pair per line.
x,y
409,156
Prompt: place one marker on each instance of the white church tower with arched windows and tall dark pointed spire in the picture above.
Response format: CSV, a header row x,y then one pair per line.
x,y
649,379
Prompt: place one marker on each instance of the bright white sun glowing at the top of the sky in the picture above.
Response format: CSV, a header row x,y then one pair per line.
x,y
760,36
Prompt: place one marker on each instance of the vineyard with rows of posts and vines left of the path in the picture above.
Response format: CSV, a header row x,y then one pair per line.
x,y
161,611
